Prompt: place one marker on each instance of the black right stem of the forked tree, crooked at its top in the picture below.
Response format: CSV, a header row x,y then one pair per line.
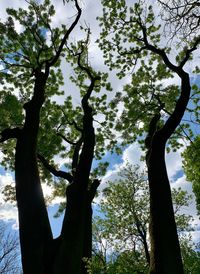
x,y
76,232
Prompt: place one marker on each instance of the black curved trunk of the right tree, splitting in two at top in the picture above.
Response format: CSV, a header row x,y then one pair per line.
x,y
165,256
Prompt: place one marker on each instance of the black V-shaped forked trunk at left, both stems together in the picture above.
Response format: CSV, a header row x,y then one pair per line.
x,y
40,253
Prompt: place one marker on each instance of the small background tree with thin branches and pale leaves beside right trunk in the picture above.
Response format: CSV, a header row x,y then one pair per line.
x,y
126,210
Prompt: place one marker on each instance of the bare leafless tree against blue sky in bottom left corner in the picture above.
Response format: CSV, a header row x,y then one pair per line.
x,y
9,251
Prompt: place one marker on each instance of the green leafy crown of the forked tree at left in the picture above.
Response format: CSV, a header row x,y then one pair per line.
x,y
22,53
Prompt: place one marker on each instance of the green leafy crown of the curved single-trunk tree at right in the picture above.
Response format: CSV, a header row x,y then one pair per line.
x,y
132,43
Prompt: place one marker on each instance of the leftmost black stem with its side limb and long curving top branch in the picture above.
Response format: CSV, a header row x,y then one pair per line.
x,y
38,249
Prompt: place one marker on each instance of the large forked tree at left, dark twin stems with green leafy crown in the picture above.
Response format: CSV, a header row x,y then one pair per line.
x,y
35,128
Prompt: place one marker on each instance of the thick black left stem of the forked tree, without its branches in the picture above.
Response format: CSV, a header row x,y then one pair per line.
x,y
35,232
